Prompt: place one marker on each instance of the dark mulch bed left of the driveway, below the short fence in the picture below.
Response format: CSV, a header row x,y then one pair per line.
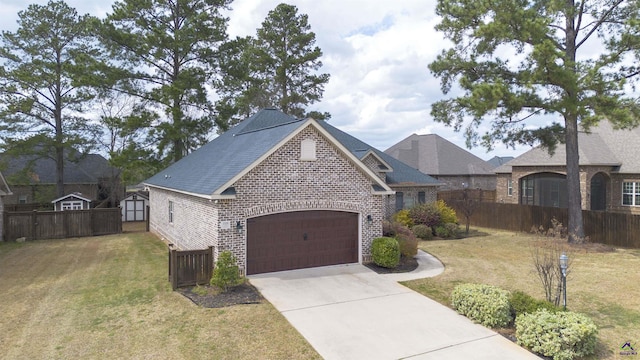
x,y
210,297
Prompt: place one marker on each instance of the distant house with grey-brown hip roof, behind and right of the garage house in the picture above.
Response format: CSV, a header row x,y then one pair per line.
x,y
445,161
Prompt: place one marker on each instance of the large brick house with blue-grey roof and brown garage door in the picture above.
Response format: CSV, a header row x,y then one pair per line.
x,y
281,193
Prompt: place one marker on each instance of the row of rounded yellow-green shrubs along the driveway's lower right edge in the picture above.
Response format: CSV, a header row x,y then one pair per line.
x,y
540,327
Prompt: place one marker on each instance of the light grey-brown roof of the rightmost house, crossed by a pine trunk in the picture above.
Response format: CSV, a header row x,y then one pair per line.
x,y
603,145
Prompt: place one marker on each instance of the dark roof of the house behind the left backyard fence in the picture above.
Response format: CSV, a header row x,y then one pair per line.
x,y
88,169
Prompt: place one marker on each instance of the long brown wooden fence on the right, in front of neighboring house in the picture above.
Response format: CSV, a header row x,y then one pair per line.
x,y
602,227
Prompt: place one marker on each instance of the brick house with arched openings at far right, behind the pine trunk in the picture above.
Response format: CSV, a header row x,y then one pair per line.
x,y
609,173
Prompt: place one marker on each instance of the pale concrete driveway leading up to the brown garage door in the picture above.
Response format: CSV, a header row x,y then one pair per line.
x,y
351,312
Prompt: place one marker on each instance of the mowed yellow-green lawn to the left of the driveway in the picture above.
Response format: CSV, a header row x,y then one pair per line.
x,y
108,297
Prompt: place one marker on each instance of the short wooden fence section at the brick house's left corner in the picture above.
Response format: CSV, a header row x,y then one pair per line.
x,y
190,267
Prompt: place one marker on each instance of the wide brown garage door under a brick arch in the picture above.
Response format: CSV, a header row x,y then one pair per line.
x,y
300,240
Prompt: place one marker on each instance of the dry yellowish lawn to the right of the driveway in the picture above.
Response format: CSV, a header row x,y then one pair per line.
x,y
604,283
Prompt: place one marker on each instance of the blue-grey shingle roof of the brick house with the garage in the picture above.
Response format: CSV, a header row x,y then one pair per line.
x,y
209,171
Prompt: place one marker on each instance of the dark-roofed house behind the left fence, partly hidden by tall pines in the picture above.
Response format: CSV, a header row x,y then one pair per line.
x,y
33,179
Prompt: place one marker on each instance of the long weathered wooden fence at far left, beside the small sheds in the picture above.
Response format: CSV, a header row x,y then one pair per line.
x,y
39,225
